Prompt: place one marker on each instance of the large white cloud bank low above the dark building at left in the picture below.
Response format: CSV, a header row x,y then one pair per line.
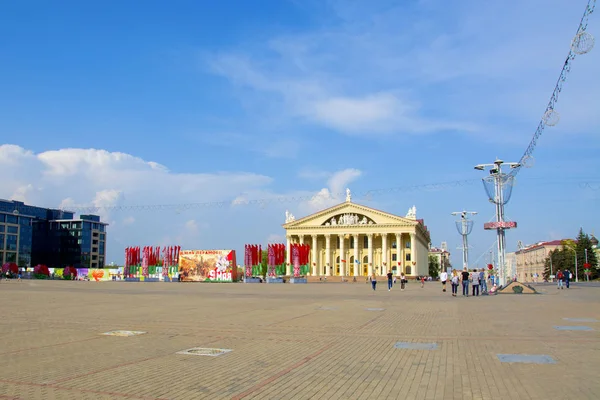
x,y
108,183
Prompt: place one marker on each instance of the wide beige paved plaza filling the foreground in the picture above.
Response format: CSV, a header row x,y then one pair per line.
x,y
316,341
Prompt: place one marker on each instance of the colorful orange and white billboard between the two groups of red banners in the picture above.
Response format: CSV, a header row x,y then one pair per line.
x,y
207,266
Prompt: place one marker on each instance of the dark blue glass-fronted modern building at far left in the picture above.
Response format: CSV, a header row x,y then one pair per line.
x,y
32,235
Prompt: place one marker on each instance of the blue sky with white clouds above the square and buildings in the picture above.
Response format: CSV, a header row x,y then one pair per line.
x,y
194,101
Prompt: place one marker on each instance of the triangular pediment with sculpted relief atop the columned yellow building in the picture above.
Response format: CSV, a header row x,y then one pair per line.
x,y
351,214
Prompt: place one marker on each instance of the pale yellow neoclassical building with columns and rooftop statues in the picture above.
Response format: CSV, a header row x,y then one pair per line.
x,y
350,239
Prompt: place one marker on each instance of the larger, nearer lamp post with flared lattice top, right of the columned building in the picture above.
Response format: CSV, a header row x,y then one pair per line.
x,y
498,186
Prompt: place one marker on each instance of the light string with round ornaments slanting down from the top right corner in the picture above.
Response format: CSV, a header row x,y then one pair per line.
x,y
582,43
